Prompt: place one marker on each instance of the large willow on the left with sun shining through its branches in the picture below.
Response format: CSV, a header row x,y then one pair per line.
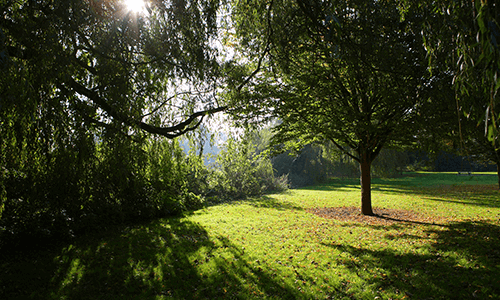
x,y
83,82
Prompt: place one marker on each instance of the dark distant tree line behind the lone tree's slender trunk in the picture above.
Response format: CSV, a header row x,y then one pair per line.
x,y
311,165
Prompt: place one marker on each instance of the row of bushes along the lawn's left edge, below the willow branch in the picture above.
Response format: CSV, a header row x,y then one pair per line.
x,y
89,183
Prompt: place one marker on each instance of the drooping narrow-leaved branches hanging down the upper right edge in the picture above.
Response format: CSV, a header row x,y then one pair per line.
x,y
478,60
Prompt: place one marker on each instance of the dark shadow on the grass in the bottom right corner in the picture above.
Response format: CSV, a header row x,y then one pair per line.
x,y
464,263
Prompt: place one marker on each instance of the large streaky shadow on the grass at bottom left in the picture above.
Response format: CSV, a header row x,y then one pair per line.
x,y
169,258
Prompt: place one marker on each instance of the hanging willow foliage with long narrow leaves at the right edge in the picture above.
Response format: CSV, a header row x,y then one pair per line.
x,y
475,32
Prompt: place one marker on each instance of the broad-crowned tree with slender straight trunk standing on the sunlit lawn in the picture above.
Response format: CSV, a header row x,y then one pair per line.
x,y
353,73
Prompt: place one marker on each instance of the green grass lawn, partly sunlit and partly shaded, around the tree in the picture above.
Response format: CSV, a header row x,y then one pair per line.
x,y
273,248
